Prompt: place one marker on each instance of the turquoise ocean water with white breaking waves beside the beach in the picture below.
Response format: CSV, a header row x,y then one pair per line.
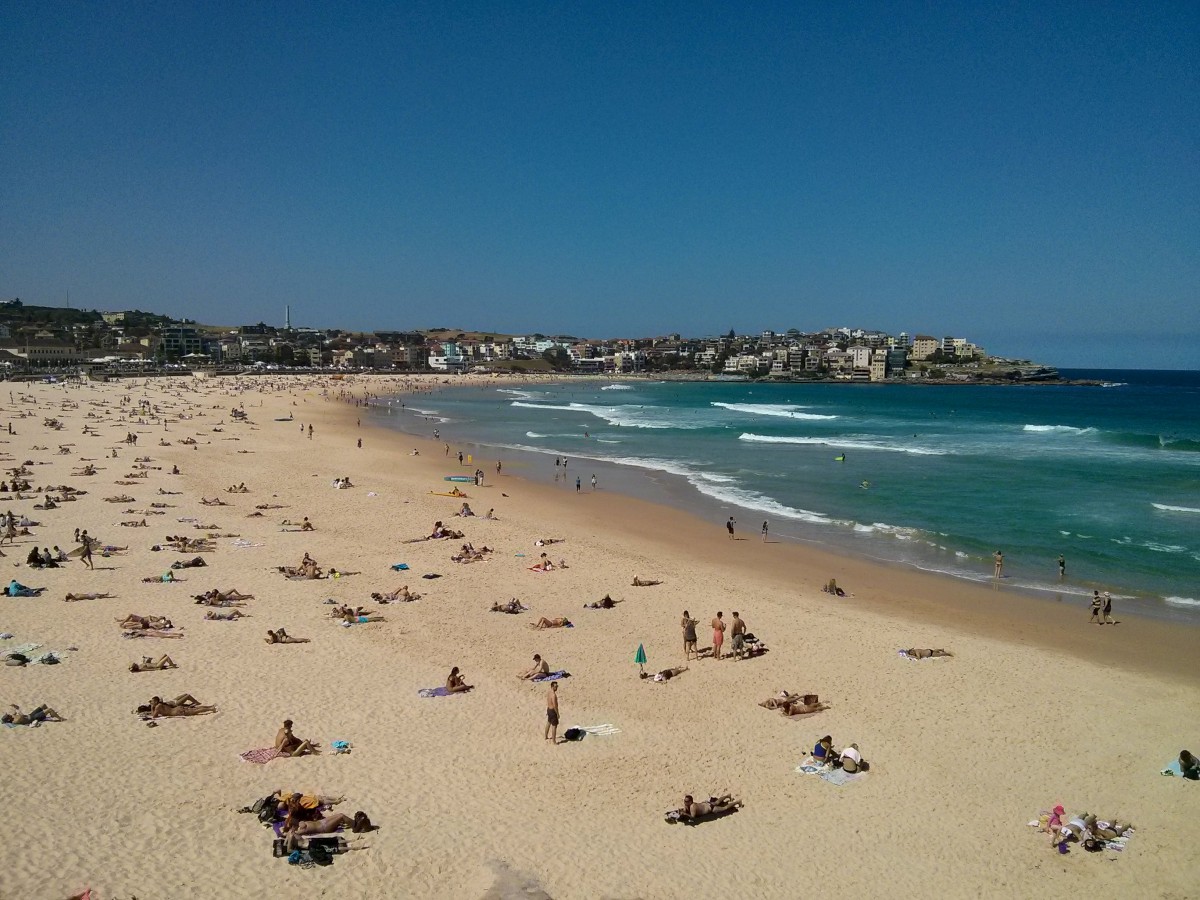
x,y
934,477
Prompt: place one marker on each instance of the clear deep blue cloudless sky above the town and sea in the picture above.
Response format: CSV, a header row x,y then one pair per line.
x,y
1027,176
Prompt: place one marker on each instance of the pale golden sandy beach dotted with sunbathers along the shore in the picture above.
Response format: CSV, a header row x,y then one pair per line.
x,y
1036,709
